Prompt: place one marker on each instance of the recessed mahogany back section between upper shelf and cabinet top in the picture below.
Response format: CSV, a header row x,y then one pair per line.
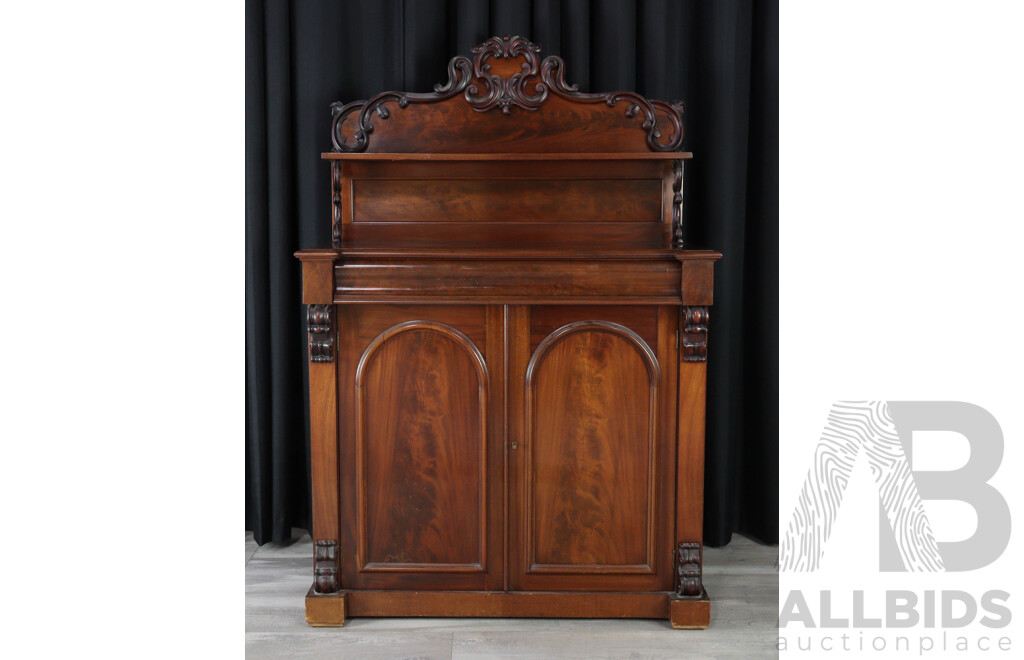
x,y
540,204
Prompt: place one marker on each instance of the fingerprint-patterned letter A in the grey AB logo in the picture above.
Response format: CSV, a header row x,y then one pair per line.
x,y
855,426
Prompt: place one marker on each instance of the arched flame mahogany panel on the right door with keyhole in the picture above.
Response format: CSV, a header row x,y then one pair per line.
x,y
593,400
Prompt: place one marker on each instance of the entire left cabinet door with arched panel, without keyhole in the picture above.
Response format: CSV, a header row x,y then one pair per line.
x,y
421,454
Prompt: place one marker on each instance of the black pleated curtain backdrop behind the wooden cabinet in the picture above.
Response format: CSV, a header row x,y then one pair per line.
x,y
720,57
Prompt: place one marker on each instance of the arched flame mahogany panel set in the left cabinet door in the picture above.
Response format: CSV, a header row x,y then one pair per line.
x,y
421,408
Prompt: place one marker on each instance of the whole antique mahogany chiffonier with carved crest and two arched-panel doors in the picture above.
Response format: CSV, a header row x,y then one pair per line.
x,y
507,355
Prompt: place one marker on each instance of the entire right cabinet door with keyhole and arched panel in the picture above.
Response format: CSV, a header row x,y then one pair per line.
x,y
591,424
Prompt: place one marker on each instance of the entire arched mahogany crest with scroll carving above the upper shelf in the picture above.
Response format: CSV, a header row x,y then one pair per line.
x,y
507,74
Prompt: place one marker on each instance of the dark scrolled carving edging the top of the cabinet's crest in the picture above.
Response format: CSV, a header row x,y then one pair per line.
x,y
528,91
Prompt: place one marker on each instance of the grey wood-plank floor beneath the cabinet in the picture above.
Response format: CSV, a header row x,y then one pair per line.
x,y
742,580
